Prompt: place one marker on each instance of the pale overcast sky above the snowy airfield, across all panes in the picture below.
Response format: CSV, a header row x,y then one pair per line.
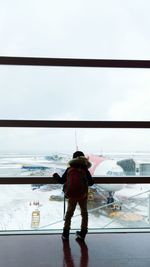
x,y
74,29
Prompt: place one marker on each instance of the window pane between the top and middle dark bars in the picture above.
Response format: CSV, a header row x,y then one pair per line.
x,y
69,93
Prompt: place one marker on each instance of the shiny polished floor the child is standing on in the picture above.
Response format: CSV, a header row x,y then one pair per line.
x,y
99,250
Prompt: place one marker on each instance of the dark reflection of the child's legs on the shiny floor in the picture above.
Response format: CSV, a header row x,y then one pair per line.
x,y
71,261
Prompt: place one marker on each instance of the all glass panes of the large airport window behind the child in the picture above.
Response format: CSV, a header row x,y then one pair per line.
x,y
84,29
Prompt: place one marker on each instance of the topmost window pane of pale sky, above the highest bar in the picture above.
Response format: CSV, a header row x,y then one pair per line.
x,y
97,29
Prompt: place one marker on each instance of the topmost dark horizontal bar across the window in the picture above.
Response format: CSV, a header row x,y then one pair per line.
x,y
74,62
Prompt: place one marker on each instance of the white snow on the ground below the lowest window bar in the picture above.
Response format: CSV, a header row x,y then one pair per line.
x,y
17,205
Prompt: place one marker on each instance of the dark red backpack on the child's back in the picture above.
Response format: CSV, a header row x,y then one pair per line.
x,y
76,185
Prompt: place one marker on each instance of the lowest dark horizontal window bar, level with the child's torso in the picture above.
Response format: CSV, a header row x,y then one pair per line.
x,y
97,180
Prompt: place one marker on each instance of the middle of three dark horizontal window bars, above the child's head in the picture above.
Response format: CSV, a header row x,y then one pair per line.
x,y
74,124
